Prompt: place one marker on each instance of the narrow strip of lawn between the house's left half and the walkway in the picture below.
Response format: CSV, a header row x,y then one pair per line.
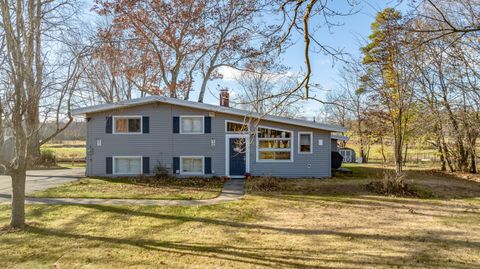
x,y
128,188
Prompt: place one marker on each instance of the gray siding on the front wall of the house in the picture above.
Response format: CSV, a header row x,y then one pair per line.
x,y
161,144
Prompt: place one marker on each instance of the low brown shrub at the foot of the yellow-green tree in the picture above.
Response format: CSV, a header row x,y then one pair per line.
x,y
393,184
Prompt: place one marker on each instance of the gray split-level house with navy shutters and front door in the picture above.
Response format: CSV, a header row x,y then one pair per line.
x,y
196,139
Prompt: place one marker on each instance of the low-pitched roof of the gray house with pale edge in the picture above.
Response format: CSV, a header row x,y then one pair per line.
x,y
208,107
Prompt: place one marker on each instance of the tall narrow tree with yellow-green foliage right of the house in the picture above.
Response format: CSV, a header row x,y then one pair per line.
x,y
390,76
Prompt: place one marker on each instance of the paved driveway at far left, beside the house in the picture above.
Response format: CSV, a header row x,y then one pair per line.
x,y
40,180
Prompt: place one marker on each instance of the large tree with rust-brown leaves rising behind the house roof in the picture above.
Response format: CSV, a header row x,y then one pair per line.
x,y
173,41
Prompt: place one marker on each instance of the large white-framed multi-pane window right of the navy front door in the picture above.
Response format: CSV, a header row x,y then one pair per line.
x,y
274,145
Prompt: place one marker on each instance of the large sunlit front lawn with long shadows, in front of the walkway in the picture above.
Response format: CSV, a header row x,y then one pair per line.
x,y
307,224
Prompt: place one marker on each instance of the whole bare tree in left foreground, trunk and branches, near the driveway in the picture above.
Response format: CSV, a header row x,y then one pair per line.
x,y
24,24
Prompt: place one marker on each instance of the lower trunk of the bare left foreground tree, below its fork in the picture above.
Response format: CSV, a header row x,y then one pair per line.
x,y
18,198
